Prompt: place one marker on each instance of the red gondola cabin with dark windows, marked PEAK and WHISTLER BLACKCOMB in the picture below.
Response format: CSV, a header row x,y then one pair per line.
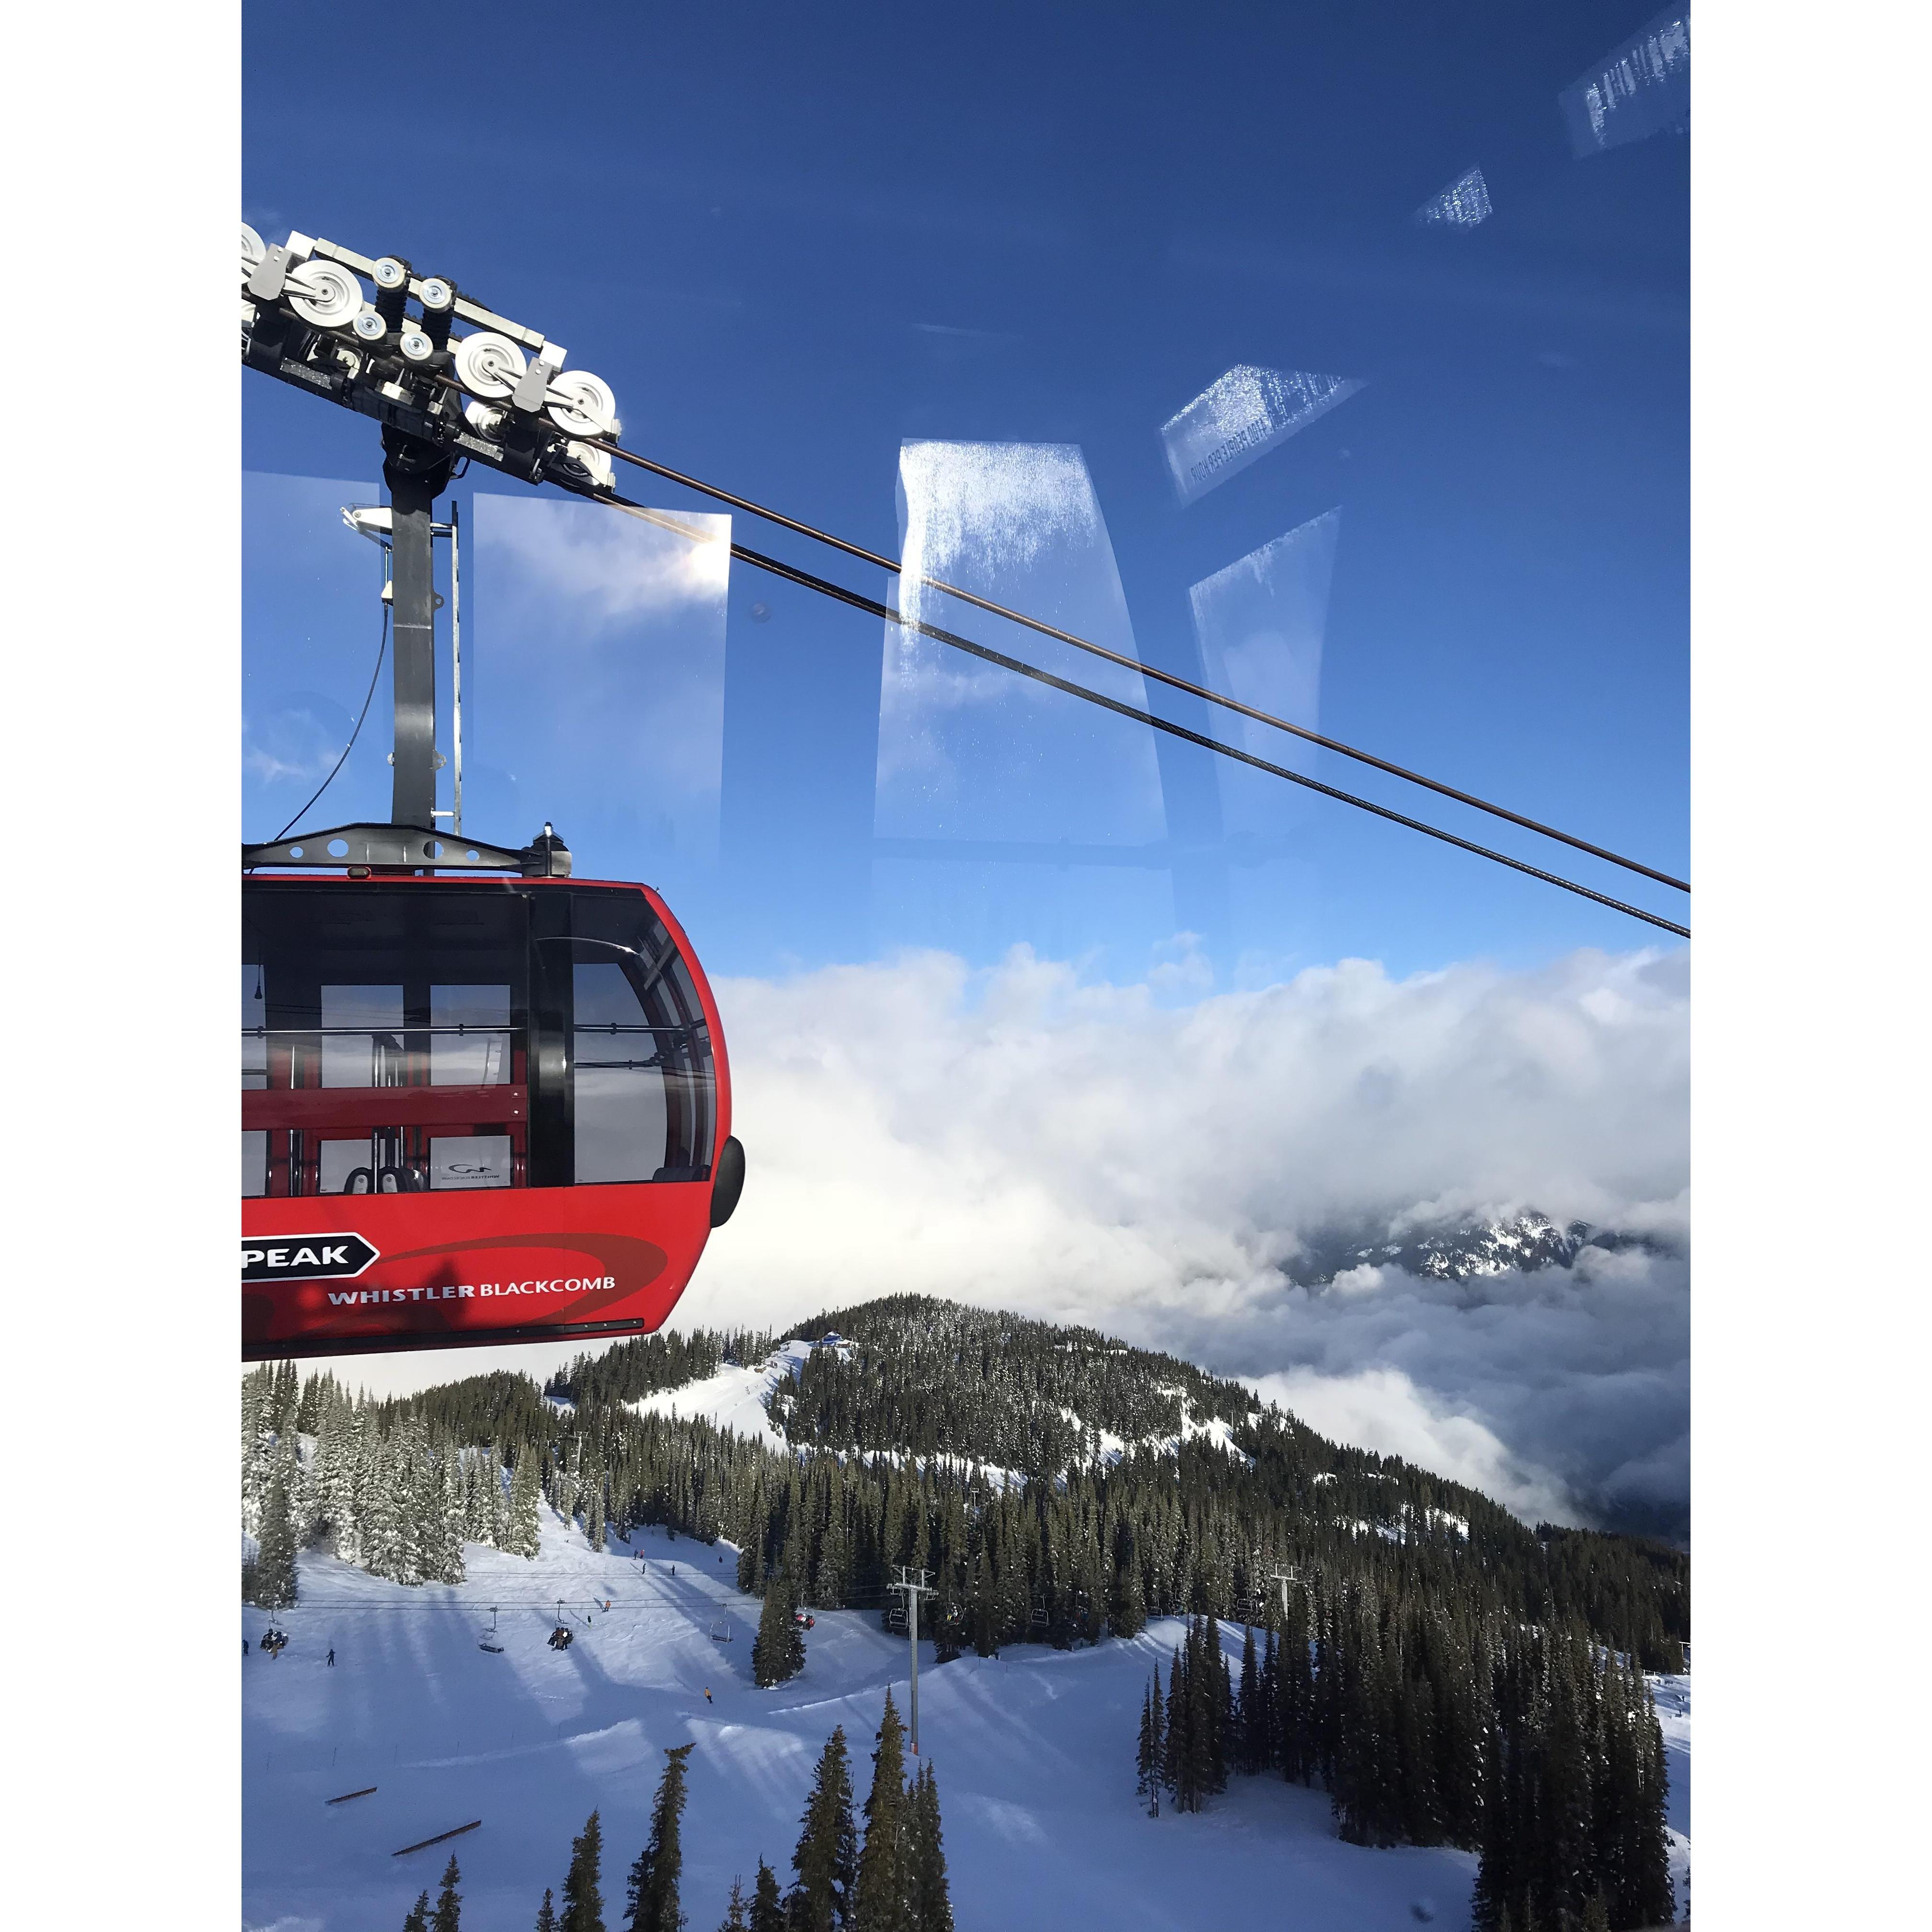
x,y
472,1112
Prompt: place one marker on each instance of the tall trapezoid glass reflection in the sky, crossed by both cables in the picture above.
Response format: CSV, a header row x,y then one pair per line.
x,y
1008,810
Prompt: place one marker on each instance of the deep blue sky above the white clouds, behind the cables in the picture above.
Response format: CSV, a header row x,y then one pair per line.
x,y
797,242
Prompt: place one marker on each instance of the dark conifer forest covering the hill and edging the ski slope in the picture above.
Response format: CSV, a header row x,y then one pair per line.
x,y
1444,1672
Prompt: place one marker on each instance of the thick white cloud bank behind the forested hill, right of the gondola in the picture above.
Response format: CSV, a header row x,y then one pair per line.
x,y
1083,1152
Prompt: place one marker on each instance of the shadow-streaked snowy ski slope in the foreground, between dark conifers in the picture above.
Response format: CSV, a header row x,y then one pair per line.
x,y
1035,1755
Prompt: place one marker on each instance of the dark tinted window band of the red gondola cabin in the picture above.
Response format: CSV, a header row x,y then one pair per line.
x,y
405,1038
